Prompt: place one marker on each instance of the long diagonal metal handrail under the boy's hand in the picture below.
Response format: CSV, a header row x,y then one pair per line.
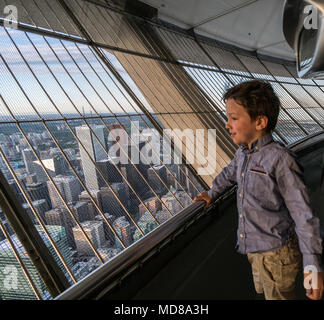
x,y
132,256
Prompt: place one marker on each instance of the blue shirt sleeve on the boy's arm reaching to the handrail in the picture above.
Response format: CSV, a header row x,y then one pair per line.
x,y
224,180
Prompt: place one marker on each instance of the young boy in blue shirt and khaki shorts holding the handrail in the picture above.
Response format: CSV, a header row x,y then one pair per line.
x,y
276,220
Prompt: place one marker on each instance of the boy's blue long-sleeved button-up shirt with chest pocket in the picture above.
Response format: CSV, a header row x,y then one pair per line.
x,y
272,200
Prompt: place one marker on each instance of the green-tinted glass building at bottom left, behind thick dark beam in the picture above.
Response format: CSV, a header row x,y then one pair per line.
x,y
14,284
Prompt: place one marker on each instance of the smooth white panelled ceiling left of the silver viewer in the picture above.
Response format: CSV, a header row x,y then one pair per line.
x,y
249,24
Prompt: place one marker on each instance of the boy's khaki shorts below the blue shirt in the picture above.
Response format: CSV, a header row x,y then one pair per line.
x,y
274,272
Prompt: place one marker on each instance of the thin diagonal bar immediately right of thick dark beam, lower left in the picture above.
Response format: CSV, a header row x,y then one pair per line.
x,y
35,212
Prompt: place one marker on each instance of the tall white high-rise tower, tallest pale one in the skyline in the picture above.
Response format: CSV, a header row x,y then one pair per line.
x,y
96,153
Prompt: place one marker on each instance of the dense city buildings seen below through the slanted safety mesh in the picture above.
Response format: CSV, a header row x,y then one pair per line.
x,y
53,212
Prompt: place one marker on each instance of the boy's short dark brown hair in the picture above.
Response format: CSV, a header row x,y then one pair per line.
x,y
258,98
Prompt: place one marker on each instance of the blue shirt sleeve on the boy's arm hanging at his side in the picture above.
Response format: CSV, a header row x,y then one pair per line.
x,y
289,175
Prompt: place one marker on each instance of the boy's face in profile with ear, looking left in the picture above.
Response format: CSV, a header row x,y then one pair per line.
x,y
242,128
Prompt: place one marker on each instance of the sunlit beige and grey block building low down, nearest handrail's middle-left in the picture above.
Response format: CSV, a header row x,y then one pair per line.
x,y
94,231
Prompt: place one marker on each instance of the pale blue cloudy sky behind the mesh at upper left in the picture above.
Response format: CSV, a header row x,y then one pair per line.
x,y
104,94
